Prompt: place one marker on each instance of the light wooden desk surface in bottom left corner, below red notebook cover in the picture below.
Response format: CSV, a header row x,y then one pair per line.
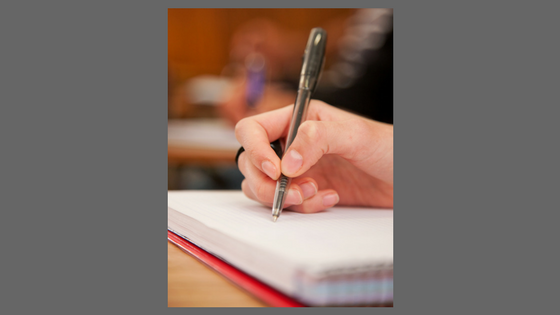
x,y
191,284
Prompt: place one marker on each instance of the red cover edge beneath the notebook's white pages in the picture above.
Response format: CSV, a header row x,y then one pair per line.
x,y
260,290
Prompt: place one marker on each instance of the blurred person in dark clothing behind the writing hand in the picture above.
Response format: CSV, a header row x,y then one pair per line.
x,y
359,81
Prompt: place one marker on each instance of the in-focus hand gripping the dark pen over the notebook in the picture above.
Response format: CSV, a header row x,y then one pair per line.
x,y
336,158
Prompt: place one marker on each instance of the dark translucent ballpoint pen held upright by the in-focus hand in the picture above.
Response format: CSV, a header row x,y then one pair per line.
x,y
313,60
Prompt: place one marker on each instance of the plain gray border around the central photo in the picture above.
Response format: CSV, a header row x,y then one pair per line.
x,y
83,172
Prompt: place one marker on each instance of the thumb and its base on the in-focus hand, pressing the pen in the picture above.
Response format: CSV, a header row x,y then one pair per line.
x,y
351,139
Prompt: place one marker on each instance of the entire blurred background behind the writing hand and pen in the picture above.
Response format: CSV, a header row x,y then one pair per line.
x,y
226,64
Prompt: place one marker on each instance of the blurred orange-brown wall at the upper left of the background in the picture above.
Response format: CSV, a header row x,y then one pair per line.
x,y
199,39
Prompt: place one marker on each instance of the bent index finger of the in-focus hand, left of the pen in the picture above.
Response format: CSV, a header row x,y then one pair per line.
x,y
255,134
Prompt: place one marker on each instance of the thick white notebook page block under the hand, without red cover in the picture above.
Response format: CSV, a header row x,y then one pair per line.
x,y
342,256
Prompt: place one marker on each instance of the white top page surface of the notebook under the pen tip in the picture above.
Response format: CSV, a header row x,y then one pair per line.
x,y
340,236
